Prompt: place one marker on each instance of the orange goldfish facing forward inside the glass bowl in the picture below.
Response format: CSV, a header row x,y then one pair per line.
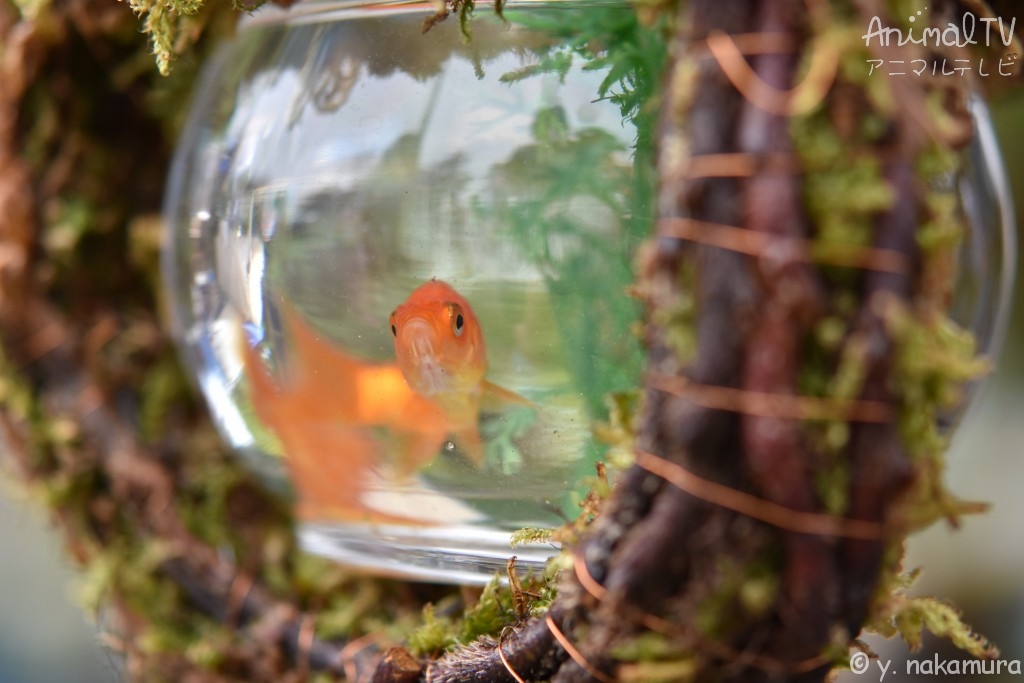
x,y
328,407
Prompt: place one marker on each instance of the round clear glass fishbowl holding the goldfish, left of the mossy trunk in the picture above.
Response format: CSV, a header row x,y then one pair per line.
x,y
340,165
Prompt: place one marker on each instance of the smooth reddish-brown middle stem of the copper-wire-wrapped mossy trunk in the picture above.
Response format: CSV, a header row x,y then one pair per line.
x,y
776,454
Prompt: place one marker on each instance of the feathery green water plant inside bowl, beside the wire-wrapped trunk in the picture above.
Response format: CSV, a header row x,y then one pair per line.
x,y
588,214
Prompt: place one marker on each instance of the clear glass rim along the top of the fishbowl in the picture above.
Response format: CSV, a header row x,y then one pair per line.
x,y
308,12
